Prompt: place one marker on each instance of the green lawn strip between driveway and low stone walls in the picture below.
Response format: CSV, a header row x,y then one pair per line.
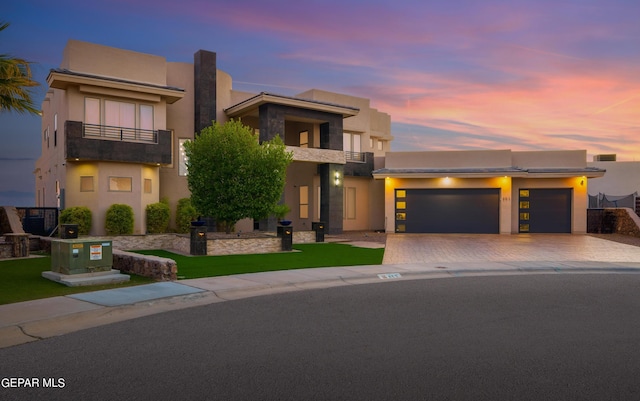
x,y
304,256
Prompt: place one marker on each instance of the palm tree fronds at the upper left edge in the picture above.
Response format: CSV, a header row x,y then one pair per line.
x,y
16,83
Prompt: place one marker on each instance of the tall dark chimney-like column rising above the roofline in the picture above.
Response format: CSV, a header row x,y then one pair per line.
x,y
204,76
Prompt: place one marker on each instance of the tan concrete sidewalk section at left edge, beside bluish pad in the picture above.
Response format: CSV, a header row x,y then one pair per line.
x,y
21,312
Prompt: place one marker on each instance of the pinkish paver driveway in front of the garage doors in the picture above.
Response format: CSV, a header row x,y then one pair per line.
x,y
443,248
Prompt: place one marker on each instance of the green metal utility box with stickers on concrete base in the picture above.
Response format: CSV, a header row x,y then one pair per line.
x,y
78,256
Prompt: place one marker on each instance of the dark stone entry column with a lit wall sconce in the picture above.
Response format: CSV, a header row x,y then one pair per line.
x,y
331,197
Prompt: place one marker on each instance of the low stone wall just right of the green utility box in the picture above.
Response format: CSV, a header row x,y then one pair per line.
x,y
157,268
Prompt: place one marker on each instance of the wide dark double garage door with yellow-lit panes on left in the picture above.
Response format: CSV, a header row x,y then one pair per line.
x,y
473,211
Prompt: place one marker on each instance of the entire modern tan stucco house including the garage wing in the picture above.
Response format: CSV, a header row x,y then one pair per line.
x,y
115,121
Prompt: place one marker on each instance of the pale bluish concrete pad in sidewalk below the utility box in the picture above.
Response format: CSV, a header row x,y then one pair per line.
x,y
132,295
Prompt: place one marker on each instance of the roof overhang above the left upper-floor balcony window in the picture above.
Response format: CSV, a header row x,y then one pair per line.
x,y
62,79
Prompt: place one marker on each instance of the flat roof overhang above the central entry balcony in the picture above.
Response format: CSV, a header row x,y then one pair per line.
x,y
252,104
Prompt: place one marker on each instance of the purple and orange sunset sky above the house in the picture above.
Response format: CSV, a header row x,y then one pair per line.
x,y
459,74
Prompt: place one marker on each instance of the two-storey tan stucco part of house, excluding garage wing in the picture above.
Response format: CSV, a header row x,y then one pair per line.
x,y
114,123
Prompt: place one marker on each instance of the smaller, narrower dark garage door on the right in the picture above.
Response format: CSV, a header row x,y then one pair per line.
x,y
545,210
